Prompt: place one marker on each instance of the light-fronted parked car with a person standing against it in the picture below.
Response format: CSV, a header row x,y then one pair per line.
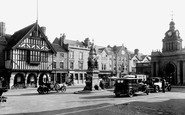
x,y
155,84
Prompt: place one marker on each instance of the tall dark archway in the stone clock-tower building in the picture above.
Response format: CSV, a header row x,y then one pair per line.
x,y
170,71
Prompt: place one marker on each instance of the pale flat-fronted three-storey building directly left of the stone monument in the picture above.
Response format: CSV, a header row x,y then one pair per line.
x,y
77,57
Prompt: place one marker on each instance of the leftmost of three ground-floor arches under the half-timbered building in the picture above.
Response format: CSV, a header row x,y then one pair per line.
x,y
19,81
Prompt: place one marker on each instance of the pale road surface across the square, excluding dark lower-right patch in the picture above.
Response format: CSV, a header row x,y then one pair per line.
x,y
28,101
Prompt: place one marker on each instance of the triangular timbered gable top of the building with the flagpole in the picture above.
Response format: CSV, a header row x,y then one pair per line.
x,y
33,38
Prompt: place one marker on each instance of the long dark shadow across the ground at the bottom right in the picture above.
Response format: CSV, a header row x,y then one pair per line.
x,y
169,107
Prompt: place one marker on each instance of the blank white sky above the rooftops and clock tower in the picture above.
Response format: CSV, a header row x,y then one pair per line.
x,y
136,24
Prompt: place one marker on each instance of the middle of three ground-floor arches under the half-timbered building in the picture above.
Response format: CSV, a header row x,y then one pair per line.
x,y
32,80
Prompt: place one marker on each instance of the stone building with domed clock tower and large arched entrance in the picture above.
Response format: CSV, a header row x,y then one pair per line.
x,y
170,63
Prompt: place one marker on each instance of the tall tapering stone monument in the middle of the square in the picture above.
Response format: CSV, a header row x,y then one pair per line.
x,y
92,80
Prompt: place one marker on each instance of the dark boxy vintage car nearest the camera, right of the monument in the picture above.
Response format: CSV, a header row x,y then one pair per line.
x,y
129,86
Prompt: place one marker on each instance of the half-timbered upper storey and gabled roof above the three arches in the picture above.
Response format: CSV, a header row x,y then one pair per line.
x,y
30,49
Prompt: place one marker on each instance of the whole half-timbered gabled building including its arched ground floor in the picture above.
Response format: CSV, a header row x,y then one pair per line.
x,y
28,57
